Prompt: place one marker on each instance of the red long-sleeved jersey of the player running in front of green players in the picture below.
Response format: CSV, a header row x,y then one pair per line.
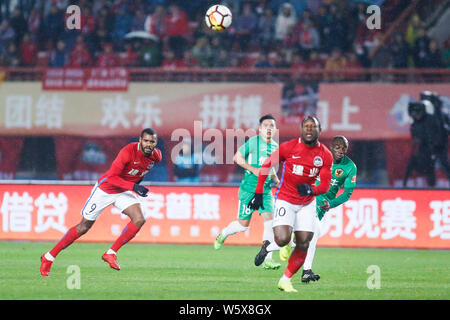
x,y
302,164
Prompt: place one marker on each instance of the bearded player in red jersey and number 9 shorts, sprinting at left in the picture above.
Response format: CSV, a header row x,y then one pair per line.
x,y
115,187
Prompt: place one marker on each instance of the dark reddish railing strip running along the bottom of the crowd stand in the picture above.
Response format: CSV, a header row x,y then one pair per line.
x,y
259,75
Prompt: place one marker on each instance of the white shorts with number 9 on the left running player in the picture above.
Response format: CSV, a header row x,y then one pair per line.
x,y
99,200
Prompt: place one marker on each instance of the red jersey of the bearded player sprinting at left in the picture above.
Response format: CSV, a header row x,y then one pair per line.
x,y
129,167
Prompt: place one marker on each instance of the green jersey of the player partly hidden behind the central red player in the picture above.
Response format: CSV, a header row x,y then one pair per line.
x,y
343,174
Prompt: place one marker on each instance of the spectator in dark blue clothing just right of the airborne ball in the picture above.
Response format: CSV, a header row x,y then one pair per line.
x,y
246,24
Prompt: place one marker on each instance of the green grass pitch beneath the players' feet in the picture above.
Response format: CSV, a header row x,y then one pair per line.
x,y
193,272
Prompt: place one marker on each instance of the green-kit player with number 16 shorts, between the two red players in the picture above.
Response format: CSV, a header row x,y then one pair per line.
x,y
250,156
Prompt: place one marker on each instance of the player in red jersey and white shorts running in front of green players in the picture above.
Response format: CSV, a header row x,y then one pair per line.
x,y
303,159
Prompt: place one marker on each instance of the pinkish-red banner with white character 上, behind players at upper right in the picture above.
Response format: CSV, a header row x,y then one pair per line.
x,y
365,110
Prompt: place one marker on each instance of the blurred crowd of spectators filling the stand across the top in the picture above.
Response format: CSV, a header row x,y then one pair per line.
x,y
327,34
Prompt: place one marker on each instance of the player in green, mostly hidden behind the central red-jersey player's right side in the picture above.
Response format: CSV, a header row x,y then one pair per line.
x,y
343,174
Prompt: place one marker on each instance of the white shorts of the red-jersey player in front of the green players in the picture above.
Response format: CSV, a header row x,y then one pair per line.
x,y
298,216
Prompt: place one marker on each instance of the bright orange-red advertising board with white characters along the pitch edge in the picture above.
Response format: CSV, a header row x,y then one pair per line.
x,y
371,218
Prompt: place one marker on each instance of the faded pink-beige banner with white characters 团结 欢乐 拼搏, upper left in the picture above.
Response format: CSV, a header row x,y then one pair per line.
x,y
26,109
